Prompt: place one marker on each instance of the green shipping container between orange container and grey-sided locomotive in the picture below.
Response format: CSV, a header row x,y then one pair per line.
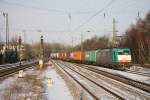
x,y
91,55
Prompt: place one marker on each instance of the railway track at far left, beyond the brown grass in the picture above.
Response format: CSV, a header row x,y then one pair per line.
x,y
6,70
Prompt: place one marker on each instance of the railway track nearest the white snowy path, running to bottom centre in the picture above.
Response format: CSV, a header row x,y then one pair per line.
x,y
69,71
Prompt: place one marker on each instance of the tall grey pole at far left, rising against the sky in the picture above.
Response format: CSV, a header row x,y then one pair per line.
x,y
7,30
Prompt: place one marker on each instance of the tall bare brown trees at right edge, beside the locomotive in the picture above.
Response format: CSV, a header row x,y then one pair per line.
x,y
138,39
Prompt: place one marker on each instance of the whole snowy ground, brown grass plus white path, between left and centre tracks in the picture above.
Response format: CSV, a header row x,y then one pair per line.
x,y
36,84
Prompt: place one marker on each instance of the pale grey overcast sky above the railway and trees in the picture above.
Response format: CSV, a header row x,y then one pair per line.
x,y
62,20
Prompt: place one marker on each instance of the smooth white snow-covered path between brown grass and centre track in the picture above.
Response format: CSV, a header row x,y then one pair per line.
x,y
56,88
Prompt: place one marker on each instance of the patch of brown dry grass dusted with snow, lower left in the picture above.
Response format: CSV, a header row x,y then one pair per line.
x,y
28,87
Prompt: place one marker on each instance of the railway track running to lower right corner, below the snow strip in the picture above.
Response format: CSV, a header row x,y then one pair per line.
x,y
118,87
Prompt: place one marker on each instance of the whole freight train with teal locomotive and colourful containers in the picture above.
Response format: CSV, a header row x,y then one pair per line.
x,y
114,56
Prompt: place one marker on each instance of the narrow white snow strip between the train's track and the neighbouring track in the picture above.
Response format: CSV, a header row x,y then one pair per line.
x,y
140,78
